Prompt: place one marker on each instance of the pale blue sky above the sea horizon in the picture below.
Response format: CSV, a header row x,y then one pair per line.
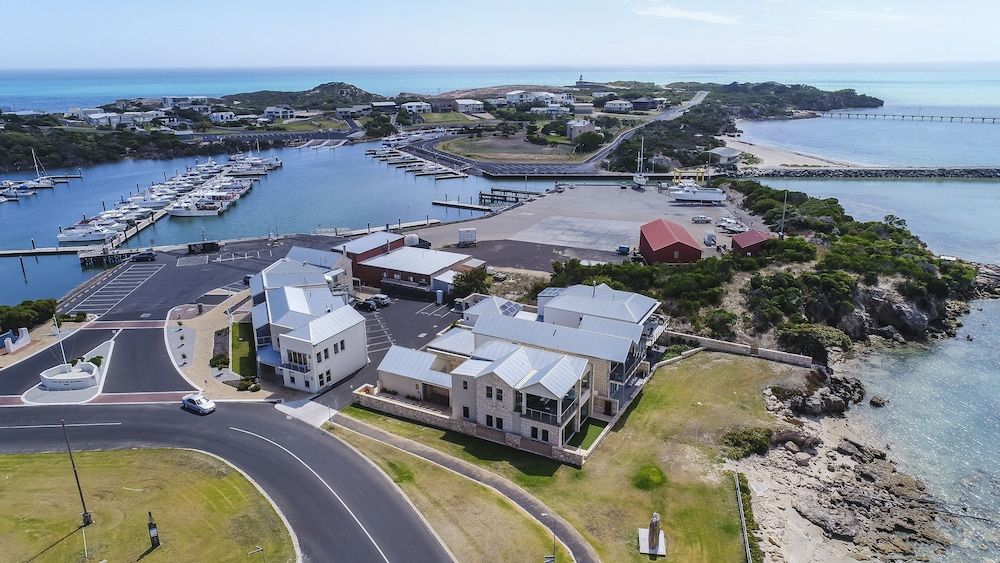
x,y
256,33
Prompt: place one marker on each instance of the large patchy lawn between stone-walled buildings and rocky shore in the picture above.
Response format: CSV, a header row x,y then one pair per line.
x,y
661,457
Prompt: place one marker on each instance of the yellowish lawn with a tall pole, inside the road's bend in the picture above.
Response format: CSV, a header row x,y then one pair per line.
x,y
205,510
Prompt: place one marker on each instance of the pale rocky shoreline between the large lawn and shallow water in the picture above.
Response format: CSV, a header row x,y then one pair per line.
x,y
822,494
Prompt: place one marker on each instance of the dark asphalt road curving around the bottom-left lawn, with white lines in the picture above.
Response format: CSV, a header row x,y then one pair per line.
x,y
339,507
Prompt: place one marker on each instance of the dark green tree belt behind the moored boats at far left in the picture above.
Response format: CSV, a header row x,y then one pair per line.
x,y
58,148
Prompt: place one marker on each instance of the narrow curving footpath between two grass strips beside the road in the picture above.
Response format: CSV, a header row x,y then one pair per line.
x,y
581,550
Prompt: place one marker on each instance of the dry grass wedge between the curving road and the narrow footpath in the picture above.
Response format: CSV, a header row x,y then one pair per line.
x,y
471,532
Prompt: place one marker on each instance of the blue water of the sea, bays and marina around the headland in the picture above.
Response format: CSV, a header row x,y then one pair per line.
x,y
942,418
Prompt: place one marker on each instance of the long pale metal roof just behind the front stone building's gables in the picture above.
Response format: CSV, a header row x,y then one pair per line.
x,y
553,337
